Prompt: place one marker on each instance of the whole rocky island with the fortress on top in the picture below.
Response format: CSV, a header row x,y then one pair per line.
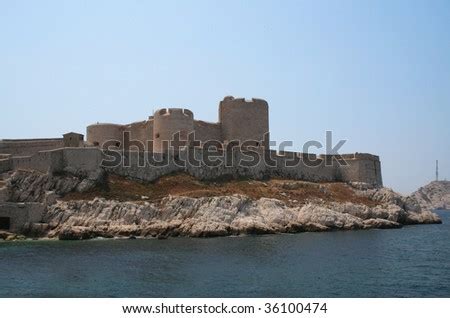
x,y
160,178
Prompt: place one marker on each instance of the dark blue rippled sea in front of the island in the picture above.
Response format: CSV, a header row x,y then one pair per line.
x,y
410,262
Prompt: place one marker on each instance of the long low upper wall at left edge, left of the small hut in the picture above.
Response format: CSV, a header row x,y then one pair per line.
x,y
28,147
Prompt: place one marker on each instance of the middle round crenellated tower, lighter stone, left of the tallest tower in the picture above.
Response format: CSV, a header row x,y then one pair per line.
x,y
169,121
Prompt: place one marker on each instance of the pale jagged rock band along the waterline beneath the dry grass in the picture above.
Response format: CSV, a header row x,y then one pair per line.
x,y
220,216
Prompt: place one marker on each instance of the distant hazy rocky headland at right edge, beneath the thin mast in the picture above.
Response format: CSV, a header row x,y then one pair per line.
x,y
435,195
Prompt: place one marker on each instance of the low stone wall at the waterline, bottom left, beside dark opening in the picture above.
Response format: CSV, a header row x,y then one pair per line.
x,y
21,213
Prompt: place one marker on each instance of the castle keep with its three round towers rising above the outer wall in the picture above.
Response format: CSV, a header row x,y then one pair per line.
x,y
239,120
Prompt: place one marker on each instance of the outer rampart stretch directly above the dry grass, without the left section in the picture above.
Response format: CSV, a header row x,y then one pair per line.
x,y
136,168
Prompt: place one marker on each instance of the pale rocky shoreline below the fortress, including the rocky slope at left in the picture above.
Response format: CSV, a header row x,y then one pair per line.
x,y
210,215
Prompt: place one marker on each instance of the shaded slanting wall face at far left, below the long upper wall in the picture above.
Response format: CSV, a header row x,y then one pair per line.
x,y
43,161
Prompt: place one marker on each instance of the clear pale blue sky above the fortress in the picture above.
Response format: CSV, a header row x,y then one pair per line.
x,y
376,73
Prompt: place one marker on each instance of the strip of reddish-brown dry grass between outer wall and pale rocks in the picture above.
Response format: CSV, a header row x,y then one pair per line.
x,y
289,191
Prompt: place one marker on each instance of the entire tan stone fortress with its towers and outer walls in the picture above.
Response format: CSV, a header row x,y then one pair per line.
x,y
239,120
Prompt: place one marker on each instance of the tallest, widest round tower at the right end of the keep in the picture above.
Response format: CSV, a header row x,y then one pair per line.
x,y
244,120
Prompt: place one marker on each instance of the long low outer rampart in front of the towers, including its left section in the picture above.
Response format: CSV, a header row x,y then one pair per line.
x,y
135,166
